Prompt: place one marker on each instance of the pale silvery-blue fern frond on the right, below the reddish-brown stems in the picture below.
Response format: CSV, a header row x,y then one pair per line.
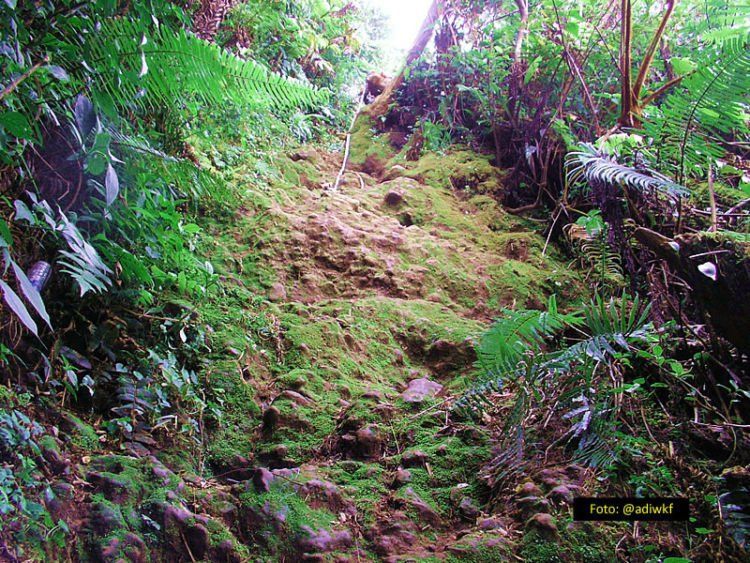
x,y
590,165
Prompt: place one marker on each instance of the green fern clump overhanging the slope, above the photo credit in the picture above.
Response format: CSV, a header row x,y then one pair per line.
x,y
513,351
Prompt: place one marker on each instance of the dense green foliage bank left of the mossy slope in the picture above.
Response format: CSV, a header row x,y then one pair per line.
x,y
101,103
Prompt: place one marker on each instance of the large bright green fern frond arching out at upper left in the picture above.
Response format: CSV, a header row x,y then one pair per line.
x,y
133,64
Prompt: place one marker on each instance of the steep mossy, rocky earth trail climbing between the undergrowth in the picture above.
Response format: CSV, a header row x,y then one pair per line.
x,y
344,330
